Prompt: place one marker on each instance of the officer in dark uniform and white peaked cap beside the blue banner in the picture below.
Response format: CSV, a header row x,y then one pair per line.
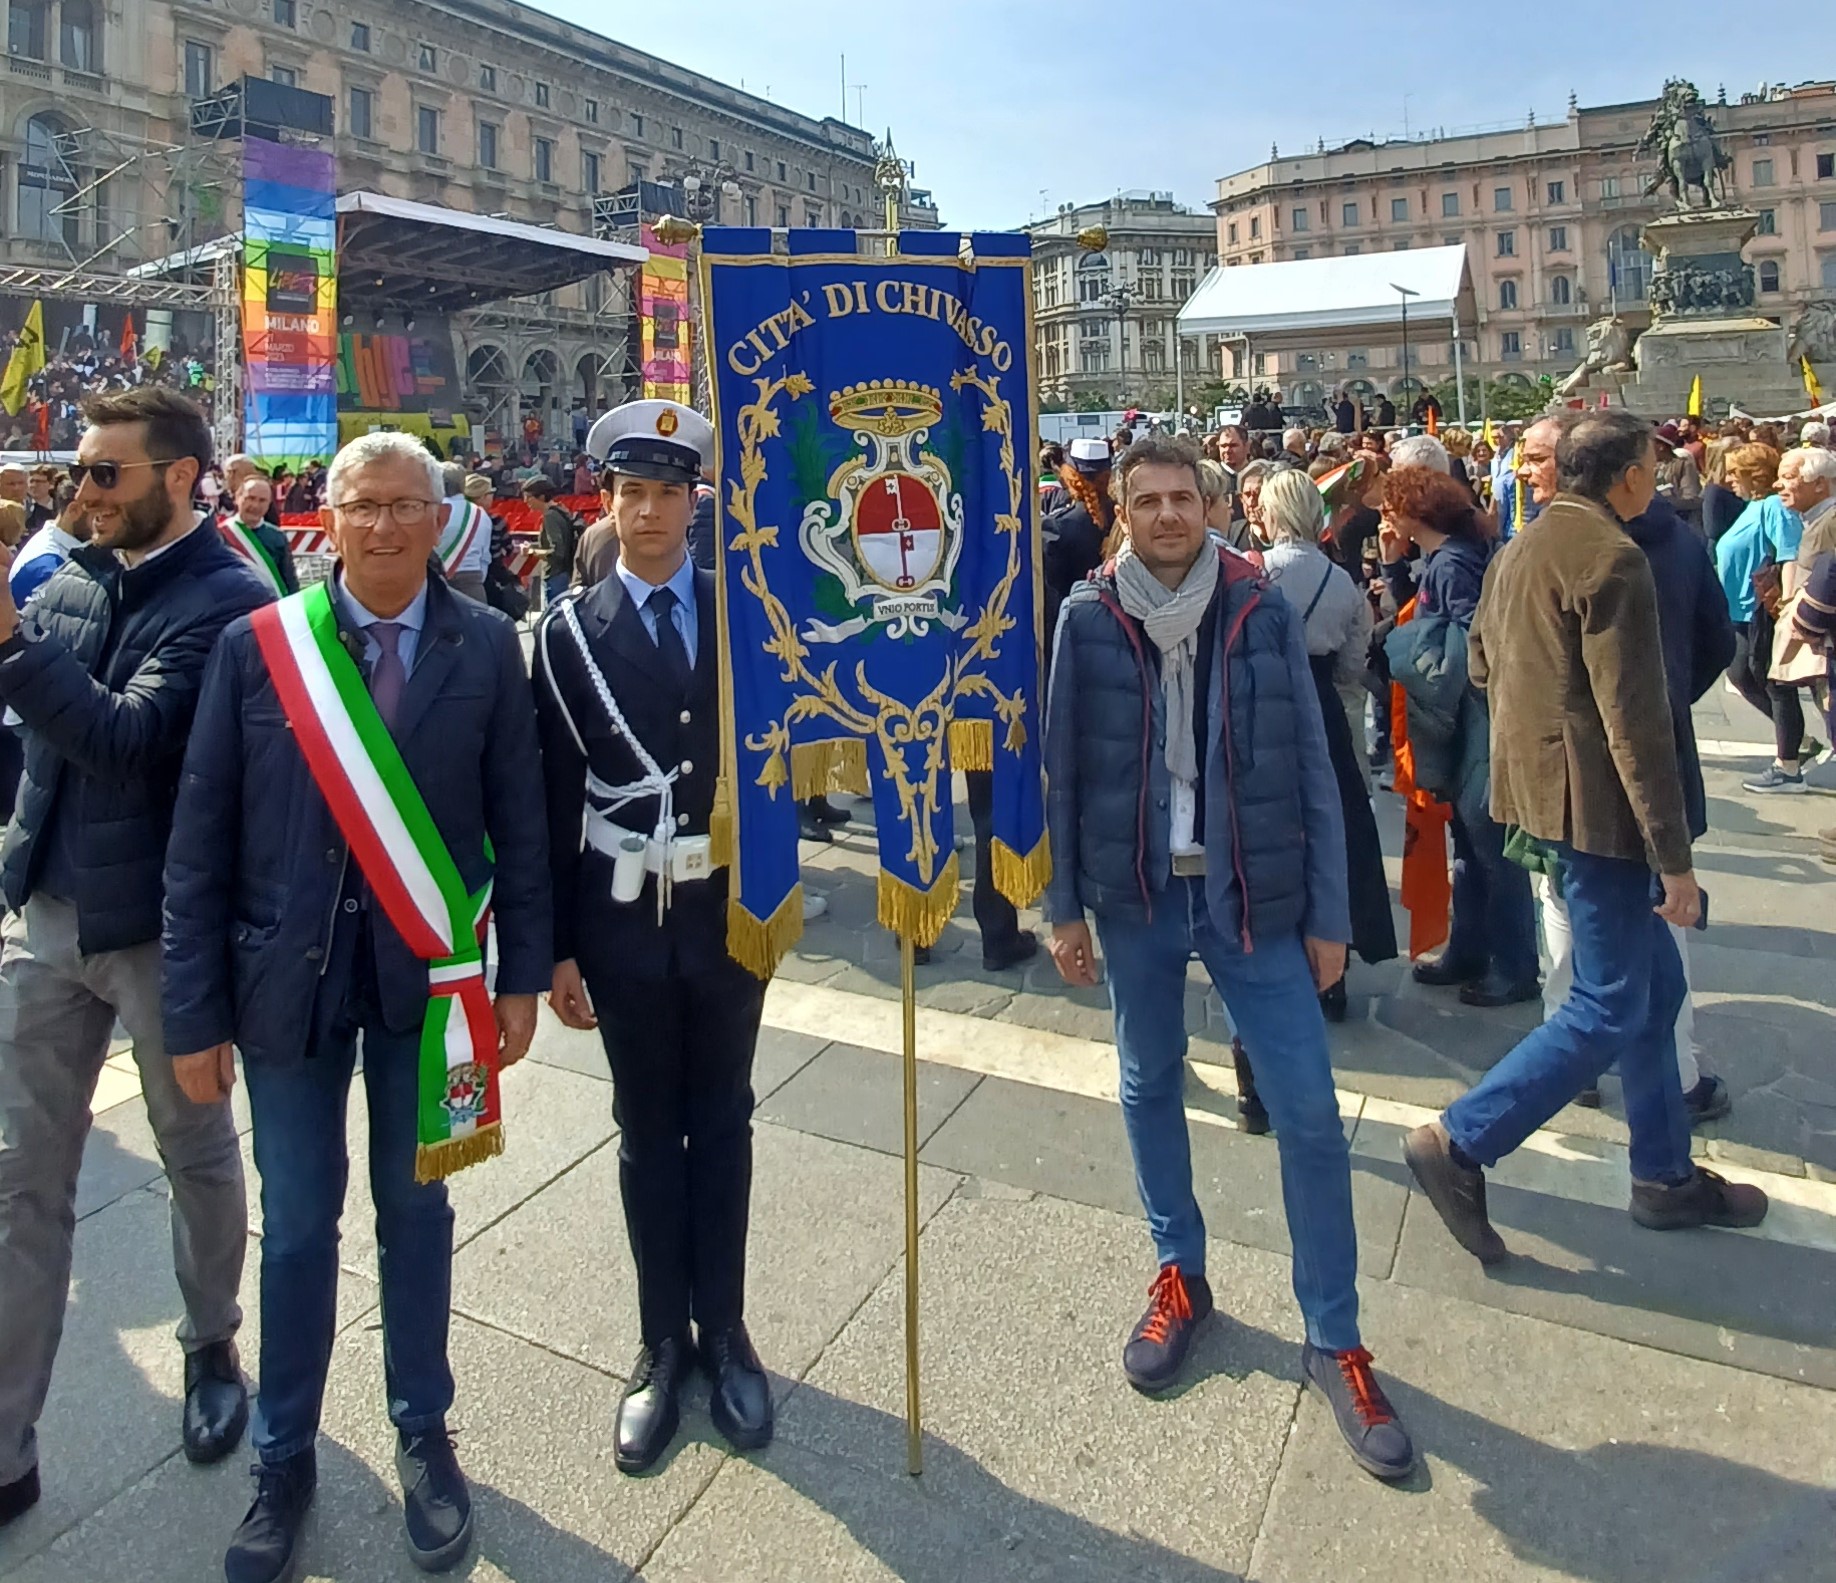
x,y
627,702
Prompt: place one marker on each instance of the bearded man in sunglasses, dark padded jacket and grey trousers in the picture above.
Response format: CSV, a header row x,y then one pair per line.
x,y
104,671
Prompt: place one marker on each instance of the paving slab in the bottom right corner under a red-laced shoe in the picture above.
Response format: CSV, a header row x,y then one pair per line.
x,y
1558,1455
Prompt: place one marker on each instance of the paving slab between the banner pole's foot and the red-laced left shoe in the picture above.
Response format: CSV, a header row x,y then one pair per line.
x,y
1029,1422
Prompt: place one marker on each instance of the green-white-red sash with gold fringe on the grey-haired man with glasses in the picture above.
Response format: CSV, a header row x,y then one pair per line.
x,y
383,816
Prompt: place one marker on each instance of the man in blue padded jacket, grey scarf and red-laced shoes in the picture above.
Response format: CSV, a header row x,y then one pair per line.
x,y
1192,809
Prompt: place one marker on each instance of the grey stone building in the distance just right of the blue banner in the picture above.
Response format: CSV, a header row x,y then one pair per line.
x,y
1104,320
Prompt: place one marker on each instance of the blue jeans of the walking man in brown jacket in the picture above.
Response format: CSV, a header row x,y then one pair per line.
x,y
1629,987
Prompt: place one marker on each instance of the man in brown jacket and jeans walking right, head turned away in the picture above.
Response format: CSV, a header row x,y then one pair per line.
x,y
1584,758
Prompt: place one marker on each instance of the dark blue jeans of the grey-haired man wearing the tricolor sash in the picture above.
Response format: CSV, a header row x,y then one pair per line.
x,y
300,1152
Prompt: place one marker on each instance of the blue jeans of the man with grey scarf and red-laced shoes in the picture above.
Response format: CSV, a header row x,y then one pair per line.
x,y
1273,1002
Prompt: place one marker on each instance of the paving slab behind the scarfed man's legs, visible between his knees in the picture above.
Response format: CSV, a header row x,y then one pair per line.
x,y
1073,1147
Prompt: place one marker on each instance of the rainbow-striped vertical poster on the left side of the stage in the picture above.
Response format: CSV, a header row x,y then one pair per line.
x,y
289,302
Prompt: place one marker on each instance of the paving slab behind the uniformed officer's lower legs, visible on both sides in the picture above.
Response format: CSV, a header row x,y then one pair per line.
x,y
829,1224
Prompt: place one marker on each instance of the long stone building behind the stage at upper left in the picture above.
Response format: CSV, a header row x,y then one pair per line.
x,y
484,106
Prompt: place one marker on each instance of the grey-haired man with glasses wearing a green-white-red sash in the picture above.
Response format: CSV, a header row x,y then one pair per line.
x,y
363,792
